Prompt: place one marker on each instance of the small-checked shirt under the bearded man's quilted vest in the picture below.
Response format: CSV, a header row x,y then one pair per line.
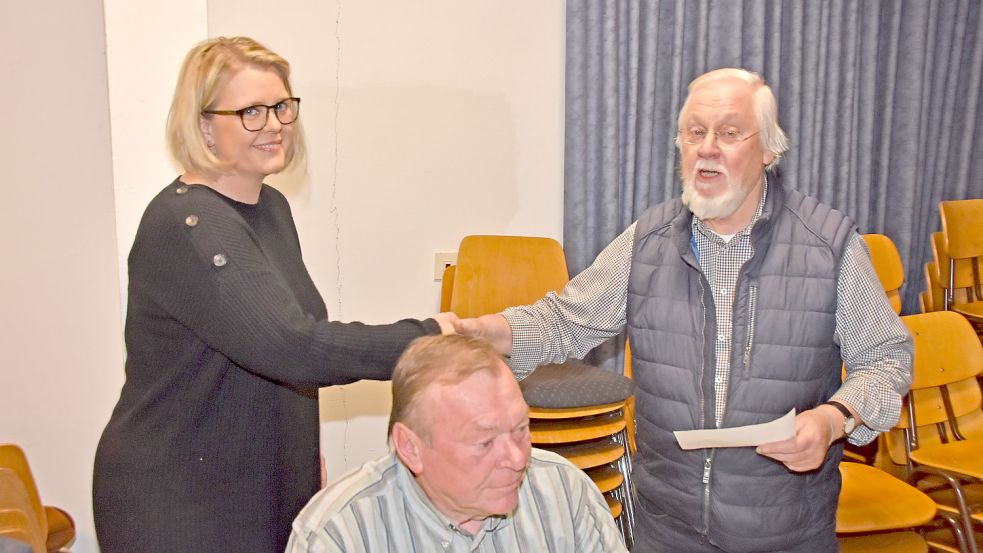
x,y
875,344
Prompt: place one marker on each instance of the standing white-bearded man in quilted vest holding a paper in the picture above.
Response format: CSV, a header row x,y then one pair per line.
x,y
742,299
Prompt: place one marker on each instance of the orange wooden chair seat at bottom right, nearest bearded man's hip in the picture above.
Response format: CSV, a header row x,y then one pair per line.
x,y
872,500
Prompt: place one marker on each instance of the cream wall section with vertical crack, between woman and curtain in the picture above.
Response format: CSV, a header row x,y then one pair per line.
x,y
426,121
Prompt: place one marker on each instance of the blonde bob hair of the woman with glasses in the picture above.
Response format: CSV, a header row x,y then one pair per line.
x,y
205,70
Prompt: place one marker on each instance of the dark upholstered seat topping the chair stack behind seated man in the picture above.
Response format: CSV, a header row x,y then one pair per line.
x,y
573,384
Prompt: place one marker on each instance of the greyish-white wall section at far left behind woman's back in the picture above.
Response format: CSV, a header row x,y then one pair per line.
x,y
61,337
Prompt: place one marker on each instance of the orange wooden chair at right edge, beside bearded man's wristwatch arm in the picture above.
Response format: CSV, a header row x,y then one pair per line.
x,y
939,438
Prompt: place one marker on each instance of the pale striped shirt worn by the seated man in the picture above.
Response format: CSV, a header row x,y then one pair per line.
x,y
379,508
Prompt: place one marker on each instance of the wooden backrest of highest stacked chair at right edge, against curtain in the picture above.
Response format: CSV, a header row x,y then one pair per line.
x,y
962,225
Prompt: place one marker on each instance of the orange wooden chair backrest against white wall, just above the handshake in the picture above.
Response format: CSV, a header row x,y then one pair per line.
x,y
495,272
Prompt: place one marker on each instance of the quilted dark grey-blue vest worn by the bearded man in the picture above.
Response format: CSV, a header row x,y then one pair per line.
x,y
784,358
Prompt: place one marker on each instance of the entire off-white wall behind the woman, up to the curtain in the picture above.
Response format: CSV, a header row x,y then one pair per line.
x,y
426,121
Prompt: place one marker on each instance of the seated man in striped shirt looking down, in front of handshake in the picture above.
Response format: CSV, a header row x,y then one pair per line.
x,y
462,474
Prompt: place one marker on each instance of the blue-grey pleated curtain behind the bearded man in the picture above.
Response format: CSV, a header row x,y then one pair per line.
x,y
881,101
